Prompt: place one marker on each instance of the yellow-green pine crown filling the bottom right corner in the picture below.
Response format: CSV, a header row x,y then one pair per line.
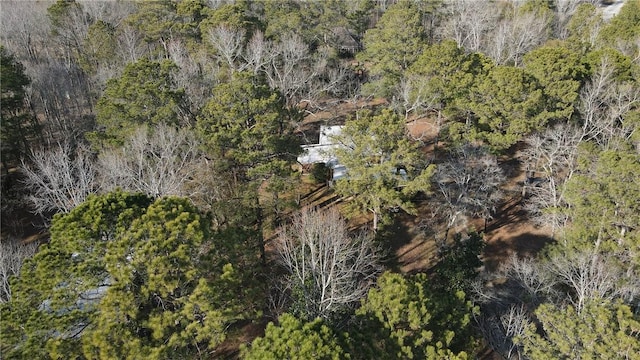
x,y
600,331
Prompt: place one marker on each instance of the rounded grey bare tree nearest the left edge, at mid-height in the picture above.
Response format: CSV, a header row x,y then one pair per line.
x,y
59,179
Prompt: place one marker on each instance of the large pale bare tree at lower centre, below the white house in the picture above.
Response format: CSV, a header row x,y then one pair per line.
x,y
329,270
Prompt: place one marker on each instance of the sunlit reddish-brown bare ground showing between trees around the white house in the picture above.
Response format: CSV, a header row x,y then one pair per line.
x,y
509,232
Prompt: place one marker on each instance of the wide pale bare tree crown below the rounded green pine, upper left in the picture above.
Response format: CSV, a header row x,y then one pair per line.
x,y
157,162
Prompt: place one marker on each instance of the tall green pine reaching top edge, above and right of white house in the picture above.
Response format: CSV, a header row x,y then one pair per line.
x,y
393,45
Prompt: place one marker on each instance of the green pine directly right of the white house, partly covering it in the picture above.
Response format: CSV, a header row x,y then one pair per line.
x,y
376,146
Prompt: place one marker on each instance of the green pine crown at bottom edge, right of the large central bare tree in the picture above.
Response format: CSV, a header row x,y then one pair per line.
x,y
407,318
